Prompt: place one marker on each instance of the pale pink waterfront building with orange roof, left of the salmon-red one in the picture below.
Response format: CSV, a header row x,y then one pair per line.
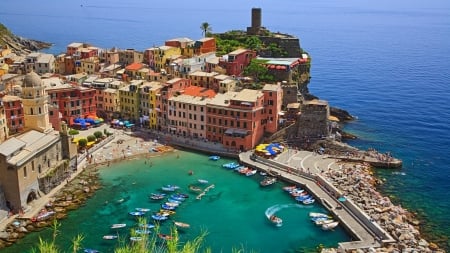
x,y
187,112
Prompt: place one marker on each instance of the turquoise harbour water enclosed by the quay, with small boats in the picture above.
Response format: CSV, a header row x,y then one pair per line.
x,y
233,212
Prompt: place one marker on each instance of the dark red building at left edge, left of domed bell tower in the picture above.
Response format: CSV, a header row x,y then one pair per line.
x,y
14,114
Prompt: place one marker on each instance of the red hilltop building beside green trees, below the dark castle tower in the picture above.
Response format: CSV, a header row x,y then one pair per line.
x,y
235,62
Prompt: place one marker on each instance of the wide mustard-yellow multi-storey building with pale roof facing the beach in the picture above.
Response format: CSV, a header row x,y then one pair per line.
x,y
130,100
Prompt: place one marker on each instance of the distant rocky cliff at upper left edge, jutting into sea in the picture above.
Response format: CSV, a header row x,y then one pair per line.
x,y
20,45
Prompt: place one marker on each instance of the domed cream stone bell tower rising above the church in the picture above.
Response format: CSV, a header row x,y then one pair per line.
x,y
35,104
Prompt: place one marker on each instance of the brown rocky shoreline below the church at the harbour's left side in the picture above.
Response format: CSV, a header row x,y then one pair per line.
x,y
74,194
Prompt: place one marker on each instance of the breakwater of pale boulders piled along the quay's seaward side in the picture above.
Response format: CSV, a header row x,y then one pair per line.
x,y
356,182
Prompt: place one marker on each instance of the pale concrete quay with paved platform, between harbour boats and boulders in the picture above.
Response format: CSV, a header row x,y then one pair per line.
x,y
303,168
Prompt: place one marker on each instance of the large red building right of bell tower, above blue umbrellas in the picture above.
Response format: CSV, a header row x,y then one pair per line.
x,y
73,101
